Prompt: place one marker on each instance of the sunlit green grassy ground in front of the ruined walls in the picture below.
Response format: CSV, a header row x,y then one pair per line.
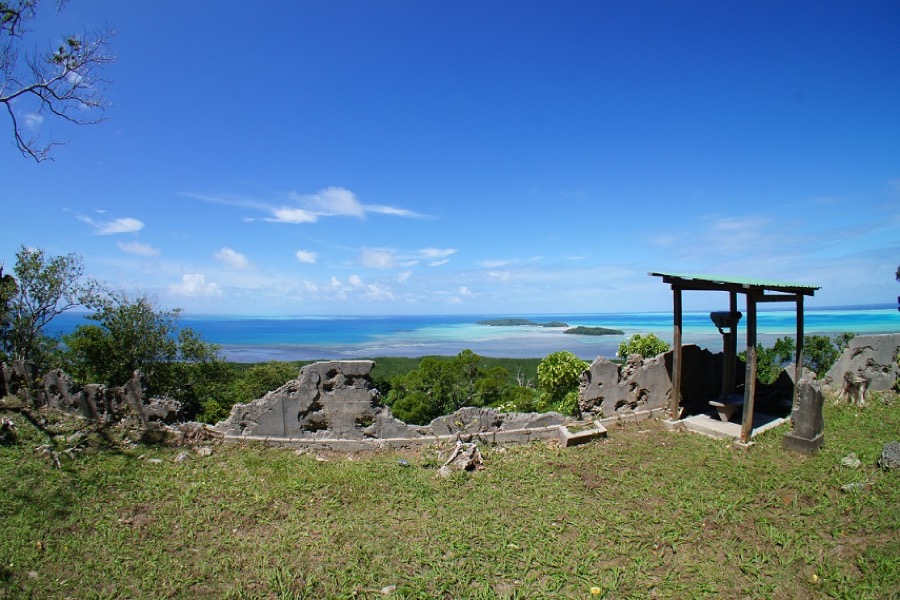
x,y
645,513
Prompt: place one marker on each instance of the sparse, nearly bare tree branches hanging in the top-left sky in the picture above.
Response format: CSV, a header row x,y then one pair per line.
x,y
65,82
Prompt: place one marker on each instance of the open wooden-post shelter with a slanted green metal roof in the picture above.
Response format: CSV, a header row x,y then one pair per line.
x,y
756,292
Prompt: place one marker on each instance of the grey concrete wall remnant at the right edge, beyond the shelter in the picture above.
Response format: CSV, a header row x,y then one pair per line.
x,y
871,357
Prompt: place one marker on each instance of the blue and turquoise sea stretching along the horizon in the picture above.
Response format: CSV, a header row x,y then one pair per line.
x,y
254,339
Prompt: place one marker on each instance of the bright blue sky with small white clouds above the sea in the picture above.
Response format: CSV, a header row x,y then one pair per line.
x,y
473,157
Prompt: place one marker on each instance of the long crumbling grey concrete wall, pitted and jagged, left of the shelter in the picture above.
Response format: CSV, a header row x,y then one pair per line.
x,y
334,403
